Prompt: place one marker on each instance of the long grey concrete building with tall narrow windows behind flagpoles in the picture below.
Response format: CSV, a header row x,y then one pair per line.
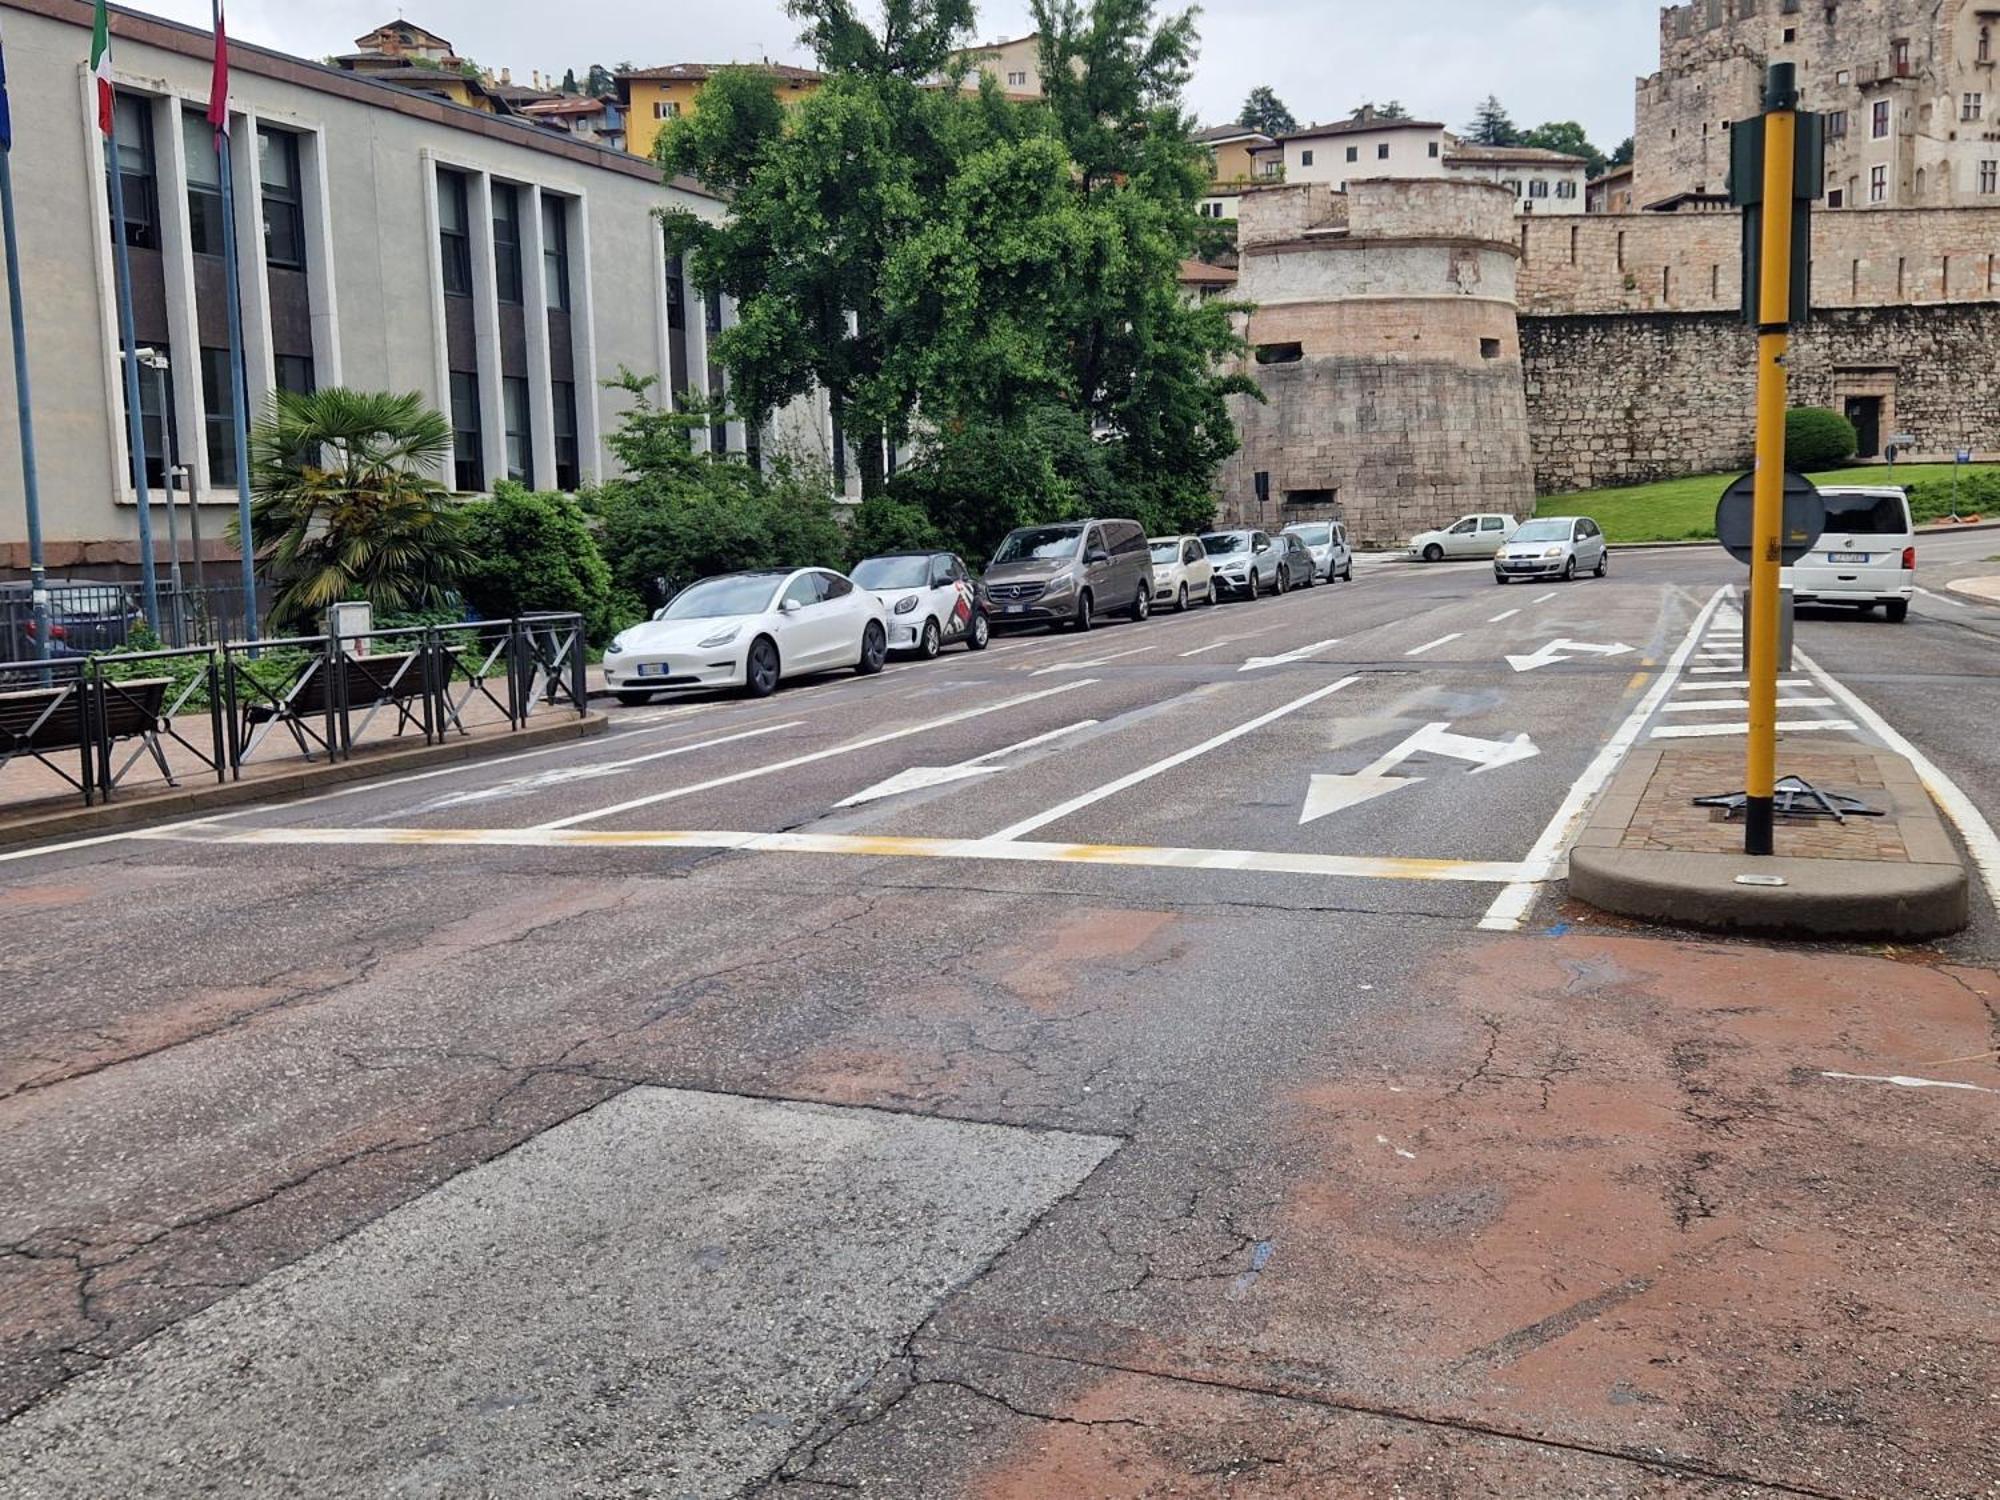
x,y
389,241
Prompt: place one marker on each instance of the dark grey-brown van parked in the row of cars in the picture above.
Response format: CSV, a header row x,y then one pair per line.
x,y
1071,573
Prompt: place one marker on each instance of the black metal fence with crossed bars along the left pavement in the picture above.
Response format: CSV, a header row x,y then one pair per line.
x,y
213,711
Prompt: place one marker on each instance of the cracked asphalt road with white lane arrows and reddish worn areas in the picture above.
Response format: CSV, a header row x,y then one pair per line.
x,y
1139,1063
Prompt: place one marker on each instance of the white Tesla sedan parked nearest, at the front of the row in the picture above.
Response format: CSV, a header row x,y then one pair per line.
x,y
751,631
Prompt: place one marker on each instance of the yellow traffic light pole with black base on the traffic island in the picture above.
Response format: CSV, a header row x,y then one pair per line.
x,y
1773,347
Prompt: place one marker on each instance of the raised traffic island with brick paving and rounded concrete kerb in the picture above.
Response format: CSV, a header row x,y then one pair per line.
x,y
1651,853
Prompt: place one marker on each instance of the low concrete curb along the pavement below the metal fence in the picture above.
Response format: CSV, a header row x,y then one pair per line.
x,y
215,797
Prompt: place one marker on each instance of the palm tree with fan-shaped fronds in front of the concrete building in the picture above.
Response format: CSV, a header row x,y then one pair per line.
x,y
347,503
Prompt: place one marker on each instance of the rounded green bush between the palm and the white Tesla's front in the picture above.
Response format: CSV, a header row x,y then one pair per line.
x,y
535,553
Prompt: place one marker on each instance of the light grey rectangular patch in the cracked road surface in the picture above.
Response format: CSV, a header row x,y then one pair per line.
x,y
659,1297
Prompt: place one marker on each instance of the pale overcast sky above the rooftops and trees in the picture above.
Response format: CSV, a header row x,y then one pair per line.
x,y
1545,59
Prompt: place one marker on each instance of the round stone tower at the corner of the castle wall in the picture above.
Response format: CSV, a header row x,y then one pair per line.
x,y
1387,347
